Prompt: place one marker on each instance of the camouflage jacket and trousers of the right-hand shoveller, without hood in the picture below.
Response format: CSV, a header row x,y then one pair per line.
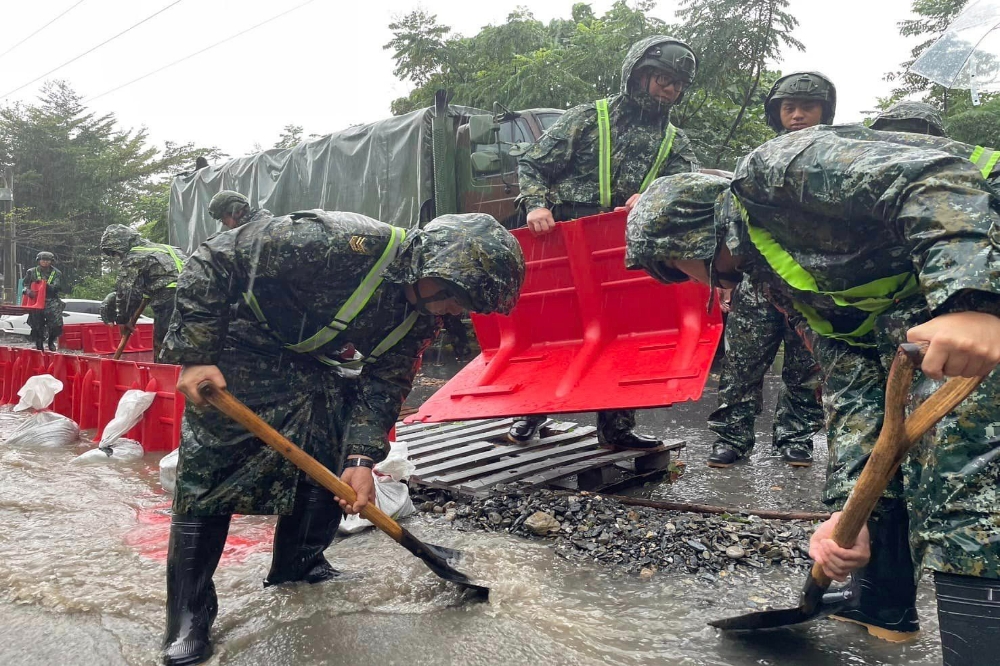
x,y
848,207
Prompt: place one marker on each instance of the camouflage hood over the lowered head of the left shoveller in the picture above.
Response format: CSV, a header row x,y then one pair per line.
x,y
471,251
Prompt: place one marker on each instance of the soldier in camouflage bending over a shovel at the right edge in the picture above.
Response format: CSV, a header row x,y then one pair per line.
x,y
924,222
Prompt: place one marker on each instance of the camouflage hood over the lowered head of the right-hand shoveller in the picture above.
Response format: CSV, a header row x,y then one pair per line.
x,y
675,219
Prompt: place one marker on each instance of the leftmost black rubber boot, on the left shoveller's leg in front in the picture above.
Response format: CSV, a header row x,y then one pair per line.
x,y
196,544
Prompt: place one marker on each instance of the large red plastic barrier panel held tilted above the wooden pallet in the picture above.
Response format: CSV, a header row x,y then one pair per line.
x,y
586,334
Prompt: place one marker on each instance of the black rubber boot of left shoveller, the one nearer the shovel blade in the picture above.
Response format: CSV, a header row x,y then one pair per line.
x,y
301,538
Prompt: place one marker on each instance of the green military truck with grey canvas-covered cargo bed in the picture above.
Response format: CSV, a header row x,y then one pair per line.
x,y
403,170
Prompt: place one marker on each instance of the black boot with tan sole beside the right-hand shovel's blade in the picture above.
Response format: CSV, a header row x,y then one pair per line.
x,y
887,605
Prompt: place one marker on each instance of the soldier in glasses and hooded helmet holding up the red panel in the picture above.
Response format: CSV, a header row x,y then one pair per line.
x,y
560,176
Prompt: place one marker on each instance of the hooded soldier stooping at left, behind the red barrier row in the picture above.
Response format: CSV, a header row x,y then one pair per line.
x,y
148,270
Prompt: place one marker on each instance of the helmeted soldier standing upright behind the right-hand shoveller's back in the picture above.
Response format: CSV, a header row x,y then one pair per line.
x,y
755,329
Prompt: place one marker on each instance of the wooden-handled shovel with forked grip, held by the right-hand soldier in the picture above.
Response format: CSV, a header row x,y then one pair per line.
x,y
894,441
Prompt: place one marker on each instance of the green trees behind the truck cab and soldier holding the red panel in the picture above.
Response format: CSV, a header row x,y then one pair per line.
x,y
524,63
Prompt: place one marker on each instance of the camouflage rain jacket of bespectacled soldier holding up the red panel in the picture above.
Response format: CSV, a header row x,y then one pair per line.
x,y
561,169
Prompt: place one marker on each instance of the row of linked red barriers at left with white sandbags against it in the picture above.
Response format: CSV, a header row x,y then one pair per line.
x,y
92,387
